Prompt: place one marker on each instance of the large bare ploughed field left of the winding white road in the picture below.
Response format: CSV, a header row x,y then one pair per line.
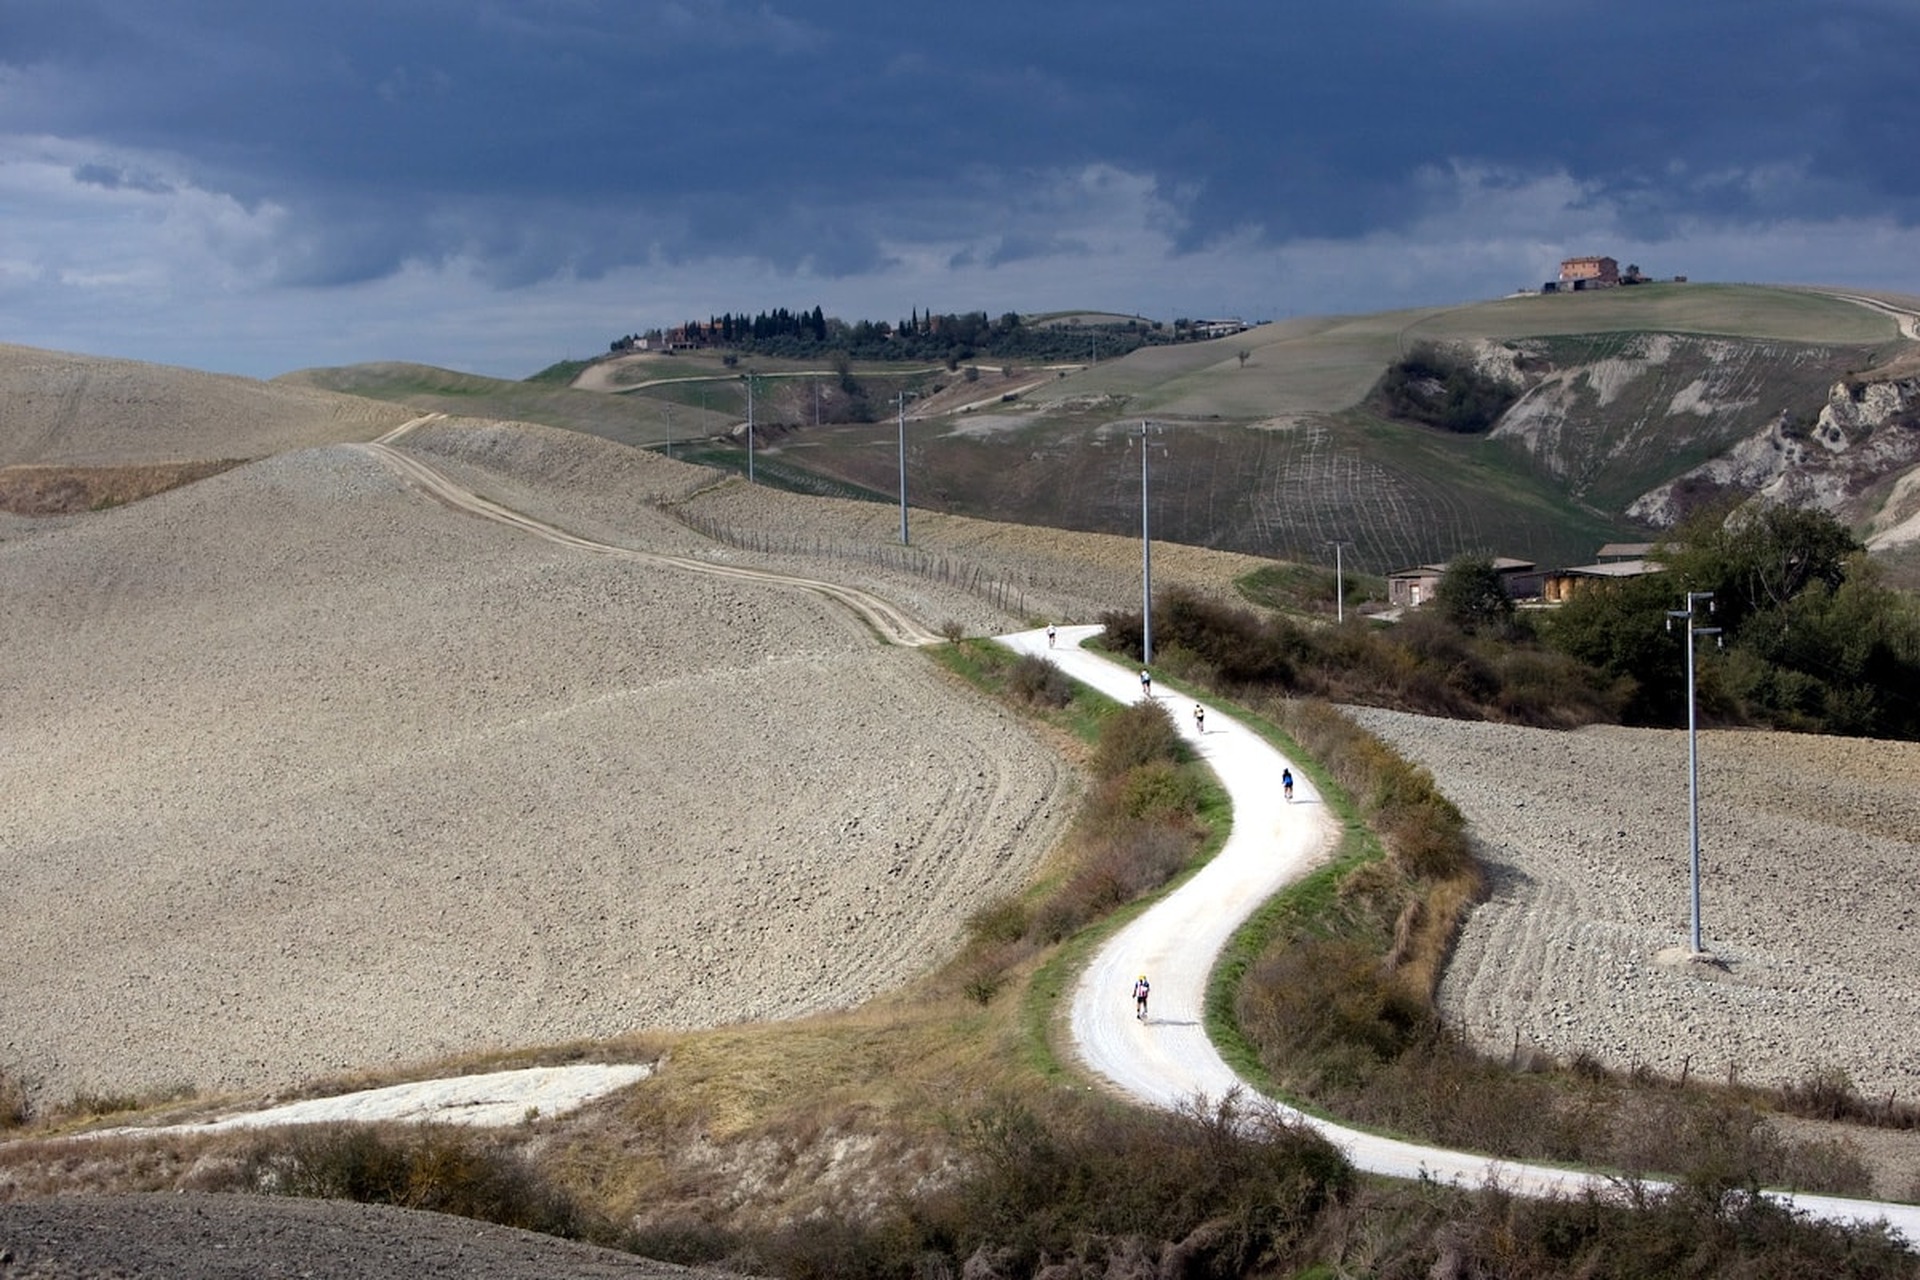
x,y
306,772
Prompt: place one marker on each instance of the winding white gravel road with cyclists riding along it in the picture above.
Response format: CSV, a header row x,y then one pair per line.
x,y
1168,1058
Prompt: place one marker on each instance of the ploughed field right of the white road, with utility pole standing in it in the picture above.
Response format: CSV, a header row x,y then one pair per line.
x,y
1808,899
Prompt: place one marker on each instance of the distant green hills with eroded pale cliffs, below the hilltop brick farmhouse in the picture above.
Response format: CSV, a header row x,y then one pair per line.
x,y
1633,406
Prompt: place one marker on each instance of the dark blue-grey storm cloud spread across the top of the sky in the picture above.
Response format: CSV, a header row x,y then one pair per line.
x,y
721,126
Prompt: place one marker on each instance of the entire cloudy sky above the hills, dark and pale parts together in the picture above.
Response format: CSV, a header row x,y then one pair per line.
x,y
252,187
